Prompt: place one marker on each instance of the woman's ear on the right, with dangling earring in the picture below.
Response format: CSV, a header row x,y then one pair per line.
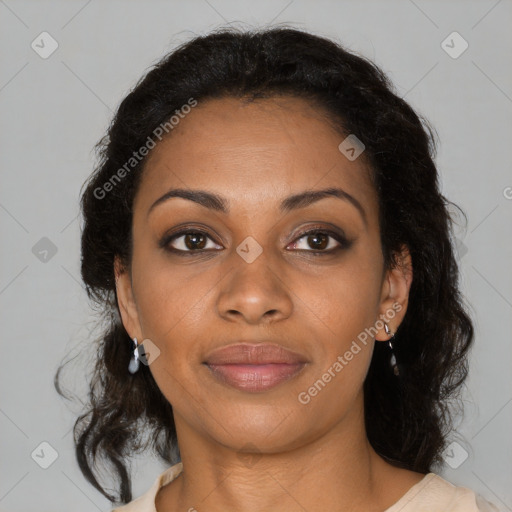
x,y
395,293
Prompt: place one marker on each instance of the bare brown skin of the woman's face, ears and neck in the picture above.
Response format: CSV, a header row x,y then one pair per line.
x,y
263,451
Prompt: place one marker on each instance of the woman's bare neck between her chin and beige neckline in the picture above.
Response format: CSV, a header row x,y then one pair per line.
x,y
337,471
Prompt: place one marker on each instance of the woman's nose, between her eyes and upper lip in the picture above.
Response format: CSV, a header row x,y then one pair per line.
x,y
254,293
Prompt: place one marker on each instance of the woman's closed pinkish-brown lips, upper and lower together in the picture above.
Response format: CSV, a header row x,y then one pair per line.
x,y
254,367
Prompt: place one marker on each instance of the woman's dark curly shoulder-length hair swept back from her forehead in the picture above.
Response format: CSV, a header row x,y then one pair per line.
x,y
408,417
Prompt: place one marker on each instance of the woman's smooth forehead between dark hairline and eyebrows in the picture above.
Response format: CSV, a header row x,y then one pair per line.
x,y
254,153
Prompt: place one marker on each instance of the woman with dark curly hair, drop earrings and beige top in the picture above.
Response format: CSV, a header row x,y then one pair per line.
x,y
267,238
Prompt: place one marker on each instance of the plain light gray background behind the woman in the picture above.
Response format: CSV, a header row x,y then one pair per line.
x,y
54,110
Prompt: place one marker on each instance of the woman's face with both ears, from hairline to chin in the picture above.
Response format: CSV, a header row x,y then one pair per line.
x,y
254,277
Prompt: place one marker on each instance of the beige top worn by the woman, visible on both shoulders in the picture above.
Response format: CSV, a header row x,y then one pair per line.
x,y
431,494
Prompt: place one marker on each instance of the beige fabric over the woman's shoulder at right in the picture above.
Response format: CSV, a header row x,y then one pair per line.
x,y
435,494
